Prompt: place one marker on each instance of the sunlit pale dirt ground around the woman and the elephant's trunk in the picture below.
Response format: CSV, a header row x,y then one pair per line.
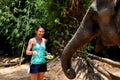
x,y
54,71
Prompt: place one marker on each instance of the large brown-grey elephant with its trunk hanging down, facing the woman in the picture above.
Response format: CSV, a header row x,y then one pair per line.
x,y
101,22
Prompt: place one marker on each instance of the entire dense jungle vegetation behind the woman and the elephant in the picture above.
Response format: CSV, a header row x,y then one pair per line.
x,y
19,18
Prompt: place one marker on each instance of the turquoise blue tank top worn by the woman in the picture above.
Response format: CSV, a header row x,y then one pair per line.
x,y
40,48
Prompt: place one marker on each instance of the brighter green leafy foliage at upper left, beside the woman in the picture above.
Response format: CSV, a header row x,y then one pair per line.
x,y
18,20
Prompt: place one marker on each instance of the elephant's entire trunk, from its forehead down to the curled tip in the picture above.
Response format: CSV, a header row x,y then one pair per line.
x,y
84,34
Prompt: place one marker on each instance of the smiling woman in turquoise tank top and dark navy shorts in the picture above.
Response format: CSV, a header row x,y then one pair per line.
x,y
36,47
